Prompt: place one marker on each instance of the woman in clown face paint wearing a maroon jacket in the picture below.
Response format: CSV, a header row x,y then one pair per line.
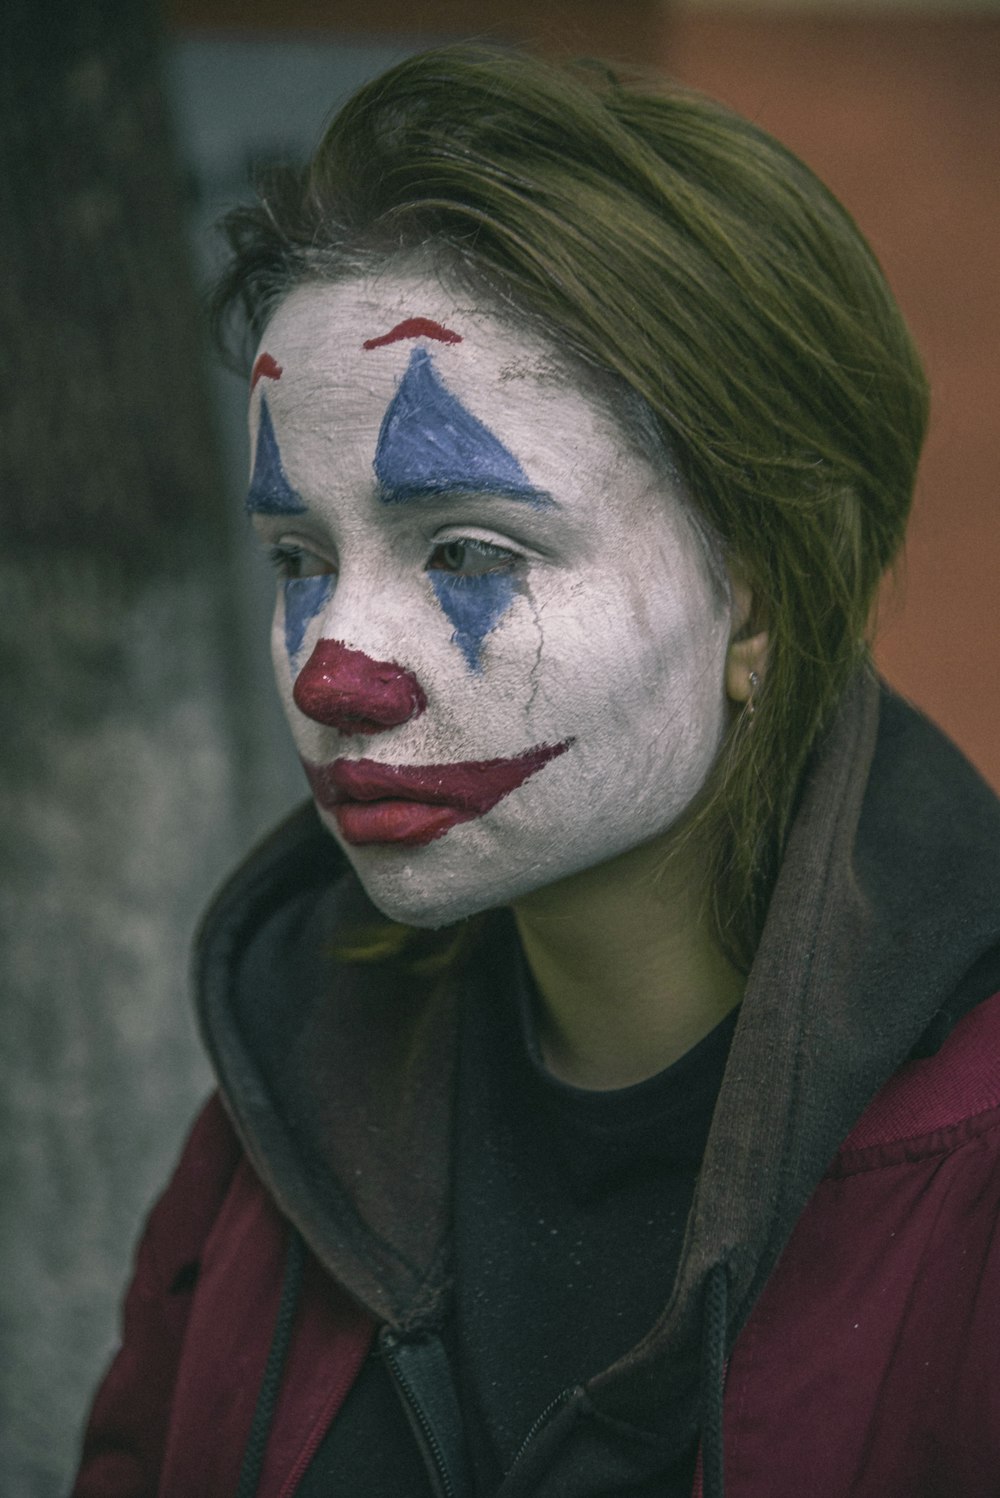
x,y
609,1105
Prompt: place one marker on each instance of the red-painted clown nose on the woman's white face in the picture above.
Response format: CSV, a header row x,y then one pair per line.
x,y
348,690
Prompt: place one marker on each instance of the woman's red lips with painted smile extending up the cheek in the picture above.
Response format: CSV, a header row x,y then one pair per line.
x,y
415,804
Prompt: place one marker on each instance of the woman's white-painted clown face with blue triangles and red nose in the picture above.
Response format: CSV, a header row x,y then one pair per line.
x,y
505,637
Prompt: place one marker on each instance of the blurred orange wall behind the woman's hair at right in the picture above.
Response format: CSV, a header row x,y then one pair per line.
x,y
902,118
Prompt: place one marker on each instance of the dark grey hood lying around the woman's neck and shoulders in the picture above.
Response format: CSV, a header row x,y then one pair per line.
x,y
884,928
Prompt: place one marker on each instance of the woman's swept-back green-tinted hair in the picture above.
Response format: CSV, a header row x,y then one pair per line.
x,y
667,240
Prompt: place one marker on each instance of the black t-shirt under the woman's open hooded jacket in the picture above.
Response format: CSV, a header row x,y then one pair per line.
x,y
570,1214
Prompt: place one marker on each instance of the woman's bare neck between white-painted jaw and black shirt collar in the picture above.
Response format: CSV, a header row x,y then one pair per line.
x,y
628,970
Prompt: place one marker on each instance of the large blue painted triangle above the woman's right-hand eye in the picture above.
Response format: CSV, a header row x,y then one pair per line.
x,y
430,444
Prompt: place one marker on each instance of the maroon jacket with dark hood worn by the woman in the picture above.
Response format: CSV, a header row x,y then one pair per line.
x,y
857,1217
